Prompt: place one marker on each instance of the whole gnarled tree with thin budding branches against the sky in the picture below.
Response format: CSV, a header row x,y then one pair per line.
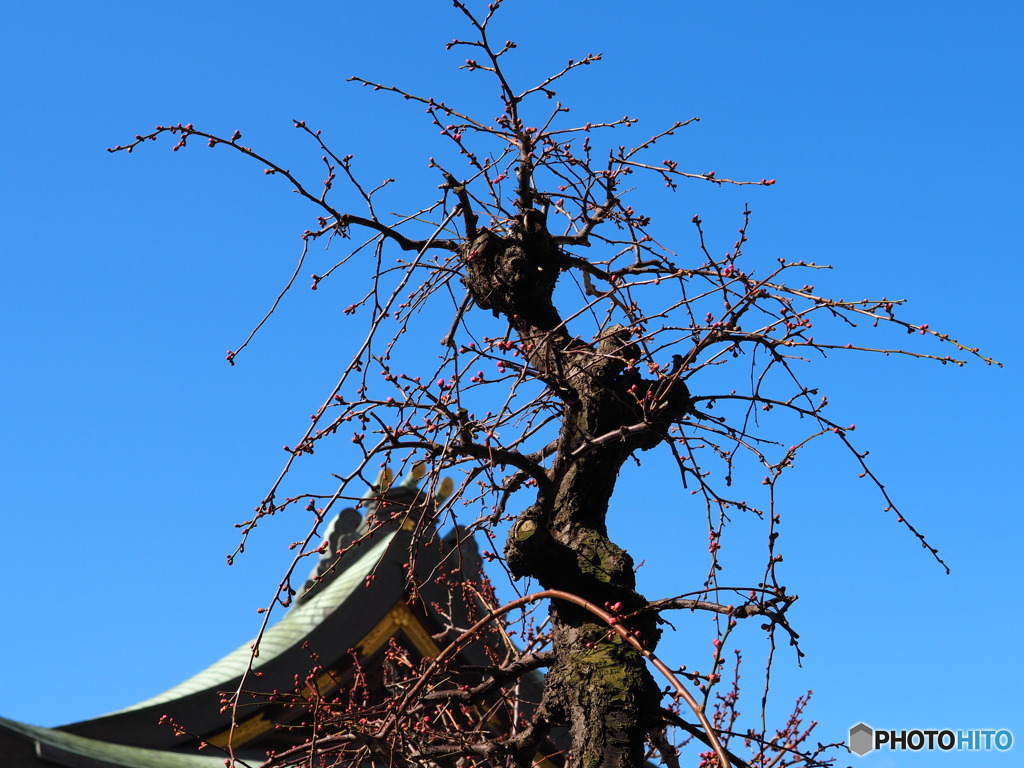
x,y
572,342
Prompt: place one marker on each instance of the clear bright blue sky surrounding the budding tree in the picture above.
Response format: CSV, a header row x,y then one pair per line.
x,y
131,447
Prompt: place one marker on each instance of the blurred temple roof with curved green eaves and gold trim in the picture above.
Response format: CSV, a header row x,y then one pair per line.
x,y
356,611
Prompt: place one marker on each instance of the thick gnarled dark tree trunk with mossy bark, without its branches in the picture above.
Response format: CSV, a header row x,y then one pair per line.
x,y
600,685
